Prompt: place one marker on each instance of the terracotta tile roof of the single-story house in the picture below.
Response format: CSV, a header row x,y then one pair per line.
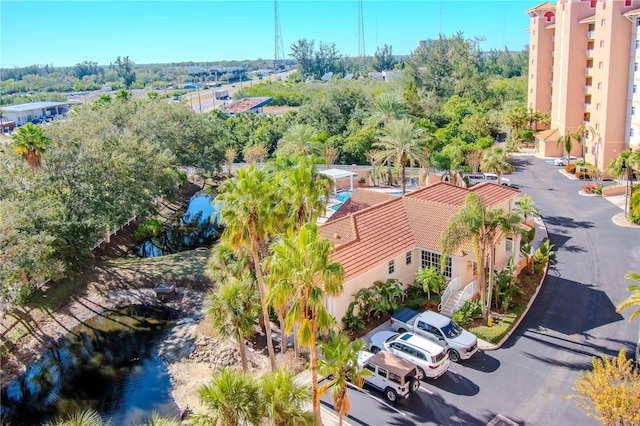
x,y
373,235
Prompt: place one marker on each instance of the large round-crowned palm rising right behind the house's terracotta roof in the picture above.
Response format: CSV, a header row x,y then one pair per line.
x,y
401,145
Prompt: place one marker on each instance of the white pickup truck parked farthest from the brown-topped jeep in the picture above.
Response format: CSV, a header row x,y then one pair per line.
x,y
459,343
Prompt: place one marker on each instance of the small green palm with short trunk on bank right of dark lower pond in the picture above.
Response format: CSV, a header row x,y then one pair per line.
x,y
233,310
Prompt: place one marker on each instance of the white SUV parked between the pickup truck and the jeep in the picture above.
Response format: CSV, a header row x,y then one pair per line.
x,y
430,358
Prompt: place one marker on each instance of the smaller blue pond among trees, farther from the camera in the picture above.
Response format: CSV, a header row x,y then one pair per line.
x,y
196,227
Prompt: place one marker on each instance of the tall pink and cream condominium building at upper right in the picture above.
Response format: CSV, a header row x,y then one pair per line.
x,y
584,72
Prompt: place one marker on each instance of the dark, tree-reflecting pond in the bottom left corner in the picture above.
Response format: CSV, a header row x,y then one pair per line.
x,y
109,364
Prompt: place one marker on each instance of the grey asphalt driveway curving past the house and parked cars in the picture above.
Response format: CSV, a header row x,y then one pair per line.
x,y
572,320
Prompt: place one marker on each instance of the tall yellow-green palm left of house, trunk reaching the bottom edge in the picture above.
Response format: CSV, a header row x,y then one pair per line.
x,y
304,259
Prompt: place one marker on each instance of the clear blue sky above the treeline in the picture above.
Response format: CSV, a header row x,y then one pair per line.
x,y
65,33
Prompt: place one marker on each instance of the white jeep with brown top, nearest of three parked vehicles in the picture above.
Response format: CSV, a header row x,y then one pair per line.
x,y
395,377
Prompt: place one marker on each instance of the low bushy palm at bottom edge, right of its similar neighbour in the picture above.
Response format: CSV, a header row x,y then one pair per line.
x,y
284,398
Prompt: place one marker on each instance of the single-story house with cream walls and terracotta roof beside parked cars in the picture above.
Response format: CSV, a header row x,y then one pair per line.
x,y
379,236
